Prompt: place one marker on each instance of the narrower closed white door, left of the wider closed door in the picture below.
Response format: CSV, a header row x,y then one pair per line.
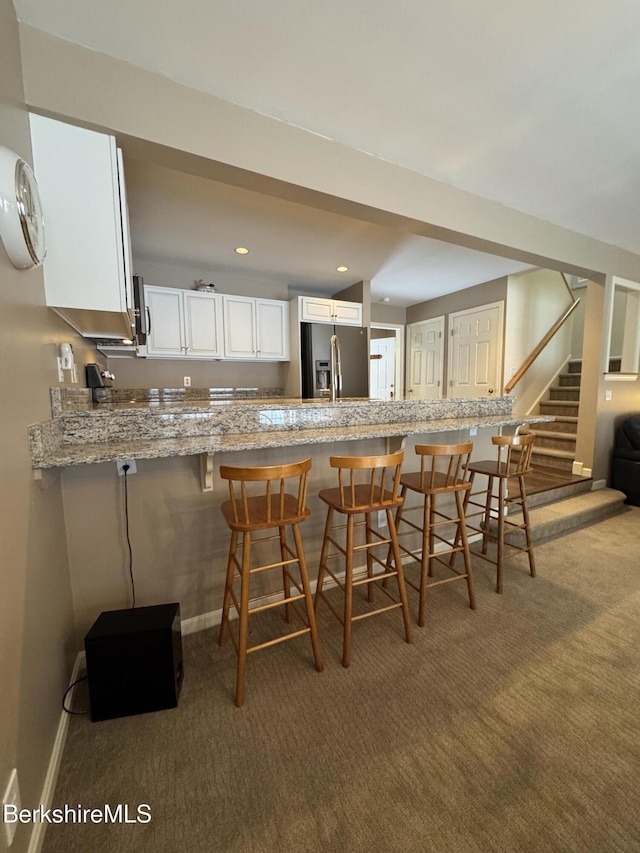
x,y
425,359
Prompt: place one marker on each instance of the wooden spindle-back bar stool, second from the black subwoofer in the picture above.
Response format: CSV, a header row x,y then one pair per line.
x,y
363,490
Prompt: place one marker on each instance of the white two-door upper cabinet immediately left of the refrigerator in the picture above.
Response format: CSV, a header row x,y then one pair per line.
x,y
255,329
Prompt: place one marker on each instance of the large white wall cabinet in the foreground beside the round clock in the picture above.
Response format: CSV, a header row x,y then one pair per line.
x,y
87,267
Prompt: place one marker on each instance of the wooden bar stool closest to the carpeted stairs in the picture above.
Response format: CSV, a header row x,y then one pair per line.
x,y
508,471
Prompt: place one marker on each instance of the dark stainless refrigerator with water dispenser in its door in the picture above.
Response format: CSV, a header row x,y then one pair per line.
x,y
315,349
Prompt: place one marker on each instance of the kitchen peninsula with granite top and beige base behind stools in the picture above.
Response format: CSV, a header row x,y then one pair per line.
x,y
177,533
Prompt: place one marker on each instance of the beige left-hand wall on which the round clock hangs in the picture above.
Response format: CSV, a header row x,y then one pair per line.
x,y
37,637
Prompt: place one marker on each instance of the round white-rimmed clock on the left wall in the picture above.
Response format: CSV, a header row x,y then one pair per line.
x,y
21,217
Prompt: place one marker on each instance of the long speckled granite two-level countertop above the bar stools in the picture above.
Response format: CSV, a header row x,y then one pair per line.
x,y
134,428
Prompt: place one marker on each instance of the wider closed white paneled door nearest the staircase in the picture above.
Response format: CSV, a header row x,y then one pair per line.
x,y
475,353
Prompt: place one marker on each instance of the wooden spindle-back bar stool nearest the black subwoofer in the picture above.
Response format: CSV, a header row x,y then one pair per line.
x,y
272,507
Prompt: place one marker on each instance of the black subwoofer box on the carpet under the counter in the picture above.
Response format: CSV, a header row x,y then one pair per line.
x,y
134,661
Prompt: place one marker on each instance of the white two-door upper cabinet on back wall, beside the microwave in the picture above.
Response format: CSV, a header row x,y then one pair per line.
x,y
184,323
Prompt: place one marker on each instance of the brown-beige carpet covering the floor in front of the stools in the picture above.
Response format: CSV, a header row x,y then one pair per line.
x,y
512,728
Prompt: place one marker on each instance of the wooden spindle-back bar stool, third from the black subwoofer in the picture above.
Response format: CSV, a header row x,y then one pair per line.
x,y
443,471
